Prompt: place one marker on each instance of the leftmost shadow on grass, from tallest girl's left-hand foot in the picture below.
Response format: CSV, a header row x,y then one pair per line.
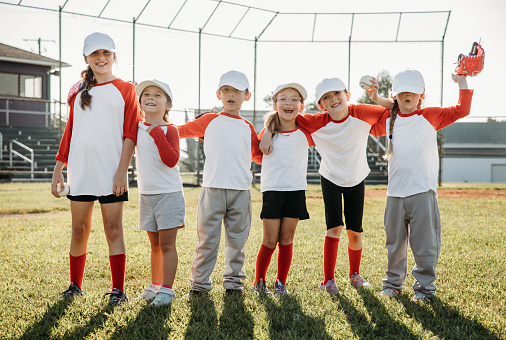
x,y
42,328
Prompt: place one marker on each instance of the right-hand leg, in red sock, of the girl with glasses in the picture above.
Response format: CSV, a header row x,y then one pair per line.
x,y
285,253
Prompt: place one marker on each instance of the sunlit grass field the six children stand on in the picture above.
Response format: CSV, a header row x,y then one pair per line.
x,y
34,243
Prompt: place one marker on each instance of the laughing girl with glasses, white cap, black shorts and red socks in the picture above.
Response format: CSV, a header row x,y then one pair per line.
x,y
283,184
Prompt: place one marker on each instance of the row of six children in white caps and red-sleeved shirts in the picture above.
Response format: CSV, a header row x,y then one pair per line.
x,y
108,117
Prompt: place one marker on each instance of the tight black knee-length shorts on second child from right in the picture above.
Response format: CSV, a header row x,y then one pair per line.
x,y
353,197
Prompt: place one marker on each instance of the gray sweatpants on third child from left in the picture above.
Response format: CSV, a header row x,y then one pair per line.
x,y
233,207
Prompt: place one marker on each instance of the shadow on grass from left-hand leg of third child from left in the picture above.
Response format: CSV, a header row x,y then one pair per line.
x,y
203,322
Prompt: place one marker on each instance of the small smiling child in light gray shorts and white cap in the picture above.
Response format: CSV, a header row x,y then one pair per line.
x,y
161,199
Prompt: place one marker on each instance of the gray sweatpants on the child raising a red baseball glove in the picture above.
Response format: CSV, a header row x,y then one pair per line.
x,y
414,219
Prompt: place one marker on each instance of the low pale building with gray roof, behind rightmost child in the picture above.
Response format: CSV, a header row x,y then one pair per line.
x,y
474,152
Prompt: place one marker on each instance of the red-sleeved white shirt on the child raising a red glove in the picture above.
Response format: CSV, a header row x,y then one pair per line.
x,y
414,163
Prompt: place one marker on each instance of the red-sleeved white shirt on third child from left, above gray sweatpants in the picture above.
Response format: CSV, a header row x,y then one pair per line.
x,y
229,144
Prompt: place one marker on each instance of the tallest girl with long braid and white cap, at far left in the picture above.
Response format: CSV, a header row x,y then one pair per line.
x,y
96,147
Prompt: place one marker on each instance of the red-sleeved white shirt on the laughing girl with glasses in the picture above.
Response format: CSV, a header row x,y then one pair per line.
x,y
285,169
